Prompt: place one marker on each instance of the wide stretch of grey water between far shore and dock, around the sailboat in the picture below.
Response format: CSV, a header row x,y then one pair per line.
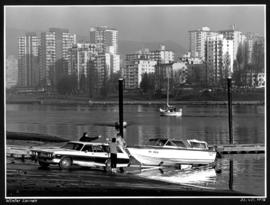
x,y
248,121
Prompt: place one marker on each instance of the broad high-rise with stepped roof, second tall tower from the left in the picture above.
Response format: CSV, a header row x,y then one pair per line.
x,y
54,54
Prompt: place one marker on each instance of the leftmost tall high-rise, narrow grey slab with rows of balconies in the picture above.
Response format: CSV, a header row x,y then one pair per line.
x,y
28,62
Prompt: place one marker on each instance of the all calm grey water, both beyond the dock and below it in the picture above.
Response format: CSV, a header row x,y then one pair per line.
x,y
208,123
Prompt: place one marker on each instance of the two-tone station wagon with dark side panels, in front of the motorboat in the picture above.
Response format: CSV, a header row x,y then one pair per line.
x,y
85,154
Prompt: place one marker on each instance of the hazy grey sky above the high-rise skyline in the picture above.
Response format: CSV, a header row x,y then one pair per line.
x,y
145,23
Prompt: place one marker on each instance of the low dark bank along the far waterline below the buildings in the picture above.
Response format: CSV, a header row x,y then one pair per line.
x,y
128,100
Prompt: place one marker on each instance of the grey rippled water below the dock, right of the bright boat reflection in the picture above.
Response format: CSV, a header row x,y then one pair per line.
x,y
247,173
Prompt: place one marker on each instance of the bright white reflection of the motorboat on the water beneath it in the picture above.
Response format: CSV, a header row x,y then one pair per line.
x,y
196,177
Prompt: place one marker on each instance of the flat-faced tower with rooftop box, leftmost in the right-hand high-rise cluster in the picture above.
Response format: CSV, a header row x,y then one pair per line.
x,y
197,40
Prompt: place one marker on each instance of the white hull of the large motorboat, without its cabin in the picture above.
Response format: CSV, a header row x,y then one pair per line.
x,y
169,157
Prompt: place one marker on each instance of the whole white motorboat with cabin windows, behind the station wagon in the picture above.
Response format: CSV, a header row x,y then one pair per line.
x,y
168,152
